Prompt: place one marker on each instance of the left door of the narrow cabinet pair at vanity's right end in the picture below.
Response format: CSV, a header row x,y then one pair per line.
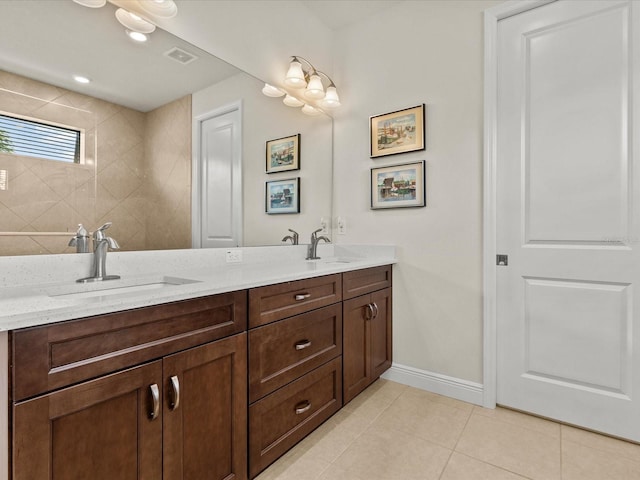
x,y
355,355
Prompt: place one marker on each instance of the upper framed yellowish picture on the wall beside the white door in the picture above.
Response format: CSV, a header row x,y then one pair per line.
x,y
397,132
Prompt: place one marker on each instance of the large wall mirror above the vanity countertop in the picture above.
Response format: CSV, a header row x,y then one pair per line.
x,y
132,164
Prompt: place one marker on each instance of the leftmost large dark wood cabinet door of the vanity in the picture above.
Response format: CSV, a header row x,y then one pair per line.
x,y
101,429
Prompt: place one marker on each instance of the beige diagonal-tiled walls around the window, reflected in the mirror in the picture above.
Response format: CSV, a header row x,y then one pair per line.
x,y
122,176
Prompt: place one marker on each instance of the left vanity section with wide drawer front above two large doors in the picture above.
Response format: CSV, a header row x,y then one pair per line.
x,y
181,415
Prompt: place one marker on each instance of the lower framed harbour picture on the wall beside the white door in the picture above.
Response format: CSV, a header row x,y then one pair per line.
x,y
398,186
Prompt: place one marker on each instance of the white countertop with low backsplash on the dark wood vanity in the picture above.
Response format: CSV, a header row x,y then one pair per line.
x,y
37,290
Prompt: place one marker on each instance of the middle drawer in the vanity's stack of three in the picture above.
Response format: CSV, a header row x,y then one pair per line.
x,y
285,350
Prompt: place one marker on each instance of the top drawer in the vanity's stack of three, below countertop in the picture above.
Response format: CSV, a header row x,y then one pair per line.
x,y
275,302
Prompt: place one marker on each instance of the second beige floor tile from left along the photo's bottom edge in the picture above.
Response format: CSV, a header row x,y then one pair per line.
x,y
382,454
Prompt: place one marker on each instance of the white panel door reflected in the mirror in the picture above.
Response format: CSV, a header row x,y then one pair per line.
x,y
218,212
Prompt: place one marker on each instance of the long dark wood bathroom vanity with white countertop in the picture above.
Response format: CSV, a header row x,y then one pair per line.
x,y
214,378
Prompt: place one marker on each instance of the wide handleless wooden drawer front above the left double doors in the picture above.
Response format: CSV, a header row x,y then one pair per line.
x,y
53,356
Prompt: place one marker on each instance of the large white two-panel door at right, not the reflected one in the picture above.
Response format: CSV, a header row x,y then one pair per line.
x,y
568,214
